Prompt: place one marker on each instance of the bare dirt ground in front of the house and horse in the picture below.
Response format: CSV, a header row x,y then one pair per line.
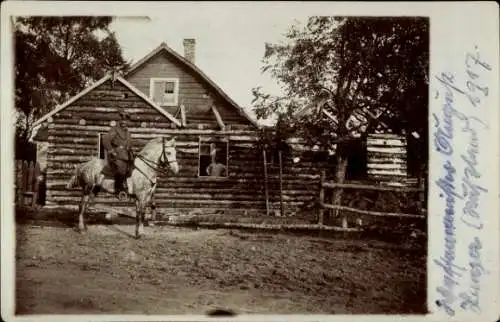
x,y
174,270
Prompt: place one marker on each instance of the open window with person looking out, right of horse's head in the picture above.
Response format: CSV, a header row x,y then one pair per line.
x,y
213,158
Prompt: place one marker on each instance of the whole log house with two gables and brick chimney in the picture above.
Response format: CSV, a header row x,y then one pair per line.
x,y
167,94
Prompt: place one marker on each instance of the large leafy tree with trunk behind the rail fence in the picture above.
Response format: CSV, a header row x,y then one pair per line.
x,y
361,71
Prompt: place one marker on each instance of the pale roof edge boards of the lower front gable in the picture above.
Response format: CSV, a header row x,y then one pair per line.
x,y
39,122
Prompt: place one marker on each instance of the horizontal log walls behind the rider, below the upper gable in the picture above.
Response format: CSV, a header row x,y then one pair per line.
x,y
73,138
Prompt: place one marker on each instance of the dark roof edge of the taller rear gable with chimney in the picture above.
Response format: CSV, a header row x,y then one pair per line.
x,y
164,48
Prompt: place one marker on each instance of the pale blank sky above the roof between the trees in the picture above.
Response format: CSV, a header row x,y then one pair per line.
x,y
229,43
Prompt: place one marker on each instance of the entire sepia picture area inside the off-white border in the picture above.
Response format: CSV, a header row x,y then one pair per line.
x,y
221,163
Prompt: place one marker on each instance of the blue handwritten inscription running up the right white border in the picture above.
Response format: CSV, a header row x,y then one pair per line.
x,y
451,131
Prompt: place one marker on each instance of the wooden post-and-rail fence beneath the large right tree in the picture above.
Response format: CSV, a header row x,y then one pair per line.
x,y
354,208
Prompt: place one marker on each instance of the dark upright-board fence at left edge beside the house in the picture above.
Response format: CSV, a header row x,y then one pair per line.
x,y
27,183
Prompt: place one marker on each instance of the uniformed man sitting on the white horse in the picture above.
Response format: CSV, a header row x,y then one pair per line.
x,y
118,152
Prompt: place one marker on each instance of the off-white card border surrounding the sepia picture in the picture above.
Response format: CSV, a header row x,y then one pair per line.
x,y
456,28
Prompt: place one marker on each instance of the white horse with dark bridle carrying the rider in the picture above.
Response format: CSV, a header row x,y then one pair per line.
x,y
153,158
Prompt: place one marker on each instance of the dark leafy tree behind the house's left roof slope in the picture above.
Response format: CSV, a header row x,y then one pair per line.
x,y
55,58
